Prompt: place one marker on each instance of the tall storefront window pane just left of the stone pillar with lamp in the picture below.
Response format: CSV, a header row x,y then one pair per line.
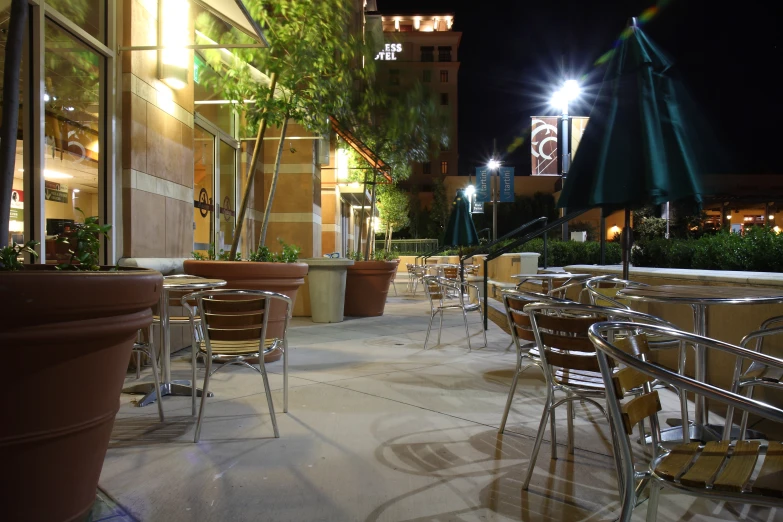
x,y
72,138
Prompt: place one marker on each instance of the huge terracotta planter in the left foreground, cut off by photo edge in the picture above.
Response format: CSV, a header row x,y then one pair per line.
x,y
69,336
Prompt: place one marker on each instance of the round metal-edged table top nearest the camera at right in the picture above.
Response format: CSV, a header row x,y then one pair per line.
x,y
707,295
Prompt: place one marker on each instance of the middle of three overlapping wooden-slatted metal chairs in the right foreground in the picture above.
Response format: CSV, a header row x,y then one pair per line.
x,y
569,362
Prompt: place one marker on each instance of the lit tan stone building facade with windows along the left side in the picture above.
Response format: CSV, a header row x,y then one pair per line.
x,y
116,121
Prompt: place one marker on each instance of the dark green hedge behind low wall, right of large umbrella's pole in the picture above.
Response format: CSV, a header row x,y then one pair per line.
x,y
759,250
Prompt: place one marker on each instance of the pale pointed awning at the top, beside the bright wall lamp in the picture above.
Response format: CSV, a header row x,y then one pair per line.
x,y
232,12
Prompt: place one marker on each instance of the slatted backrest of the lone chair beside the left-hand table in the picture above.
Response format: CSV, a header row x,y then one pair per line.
x,y
236,315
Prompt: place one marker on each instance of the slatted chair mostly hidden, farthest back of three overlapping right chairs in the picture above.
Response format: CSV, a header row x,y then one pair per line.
x,y
521,337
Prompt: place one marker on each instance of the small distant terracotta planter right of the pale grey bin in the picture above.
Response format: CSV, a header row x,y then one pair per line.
x,y
367,286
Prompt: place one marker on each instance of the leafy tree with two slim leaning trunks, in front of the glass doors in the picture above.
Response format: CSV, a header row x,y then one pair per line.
x,y
309,66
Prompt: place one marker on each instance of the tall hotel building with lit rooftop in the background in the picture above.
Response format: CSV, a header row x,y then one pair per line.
x,y
420,46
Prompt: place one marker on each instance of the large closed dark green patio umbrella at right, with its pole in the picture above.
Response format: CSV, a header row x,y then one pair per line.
x,y
637,148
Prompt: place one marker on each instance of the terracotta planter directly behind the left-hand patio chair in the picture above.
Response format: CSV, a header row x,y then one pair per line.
x,y
284,278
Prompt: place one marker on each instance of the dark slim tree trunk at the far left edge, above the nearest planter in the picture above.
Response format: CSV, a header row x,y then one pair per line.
x,y
11,72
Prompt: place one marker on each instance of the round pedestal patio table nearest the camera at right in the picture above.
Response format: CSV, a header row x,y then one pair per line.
x,y
699,298
